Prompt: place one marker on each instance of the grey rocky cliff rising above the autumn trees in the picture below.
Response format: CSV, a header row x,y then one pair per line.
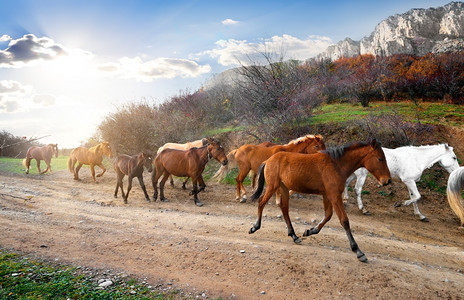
x,y
417,32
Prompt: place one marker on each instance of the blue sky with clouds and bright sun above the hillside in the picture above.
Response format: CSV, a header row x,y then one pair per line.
x,y
66,65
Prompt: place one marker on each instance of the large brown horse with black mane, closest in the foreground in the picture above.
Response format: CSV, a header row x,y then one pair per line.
x,y
323,173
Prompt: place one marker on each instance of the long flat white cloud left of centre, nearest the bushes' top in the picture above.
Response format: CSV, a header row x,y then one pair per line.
x,y
148,71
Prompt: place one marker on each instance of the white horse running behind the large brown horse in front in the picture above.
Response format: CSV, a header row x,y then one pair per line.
x,y
407,163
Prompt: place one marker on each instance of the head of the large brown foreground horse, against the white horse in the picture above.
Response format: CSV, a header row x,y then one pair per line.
x,y
375,162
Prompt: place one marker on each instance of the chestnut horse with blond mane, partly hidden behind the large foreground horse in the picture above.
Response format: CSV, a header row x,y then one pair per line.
x,y
250,157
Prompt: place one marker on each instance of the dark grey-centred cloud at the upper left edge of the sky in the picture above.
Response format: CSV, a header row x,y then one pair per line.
x,y
29,49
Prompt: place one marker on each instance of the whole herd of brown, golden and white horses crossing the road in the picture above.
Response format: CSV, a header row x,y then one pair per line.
x,y
303,165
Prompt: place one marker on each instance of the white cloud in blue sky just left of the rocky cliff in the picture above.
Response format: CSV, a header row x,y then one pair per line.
x,y
230,52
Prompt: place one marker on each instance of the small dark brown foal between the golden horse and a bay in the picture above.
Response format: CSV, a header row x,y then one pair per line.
x,y
132,166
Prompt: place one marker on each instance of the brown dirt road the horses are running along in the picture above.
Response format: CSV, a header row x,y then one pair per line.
x,y
207,250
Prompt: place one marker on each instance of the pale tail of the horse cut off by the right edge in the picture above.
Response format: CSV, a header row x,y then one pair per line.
x,y
454,190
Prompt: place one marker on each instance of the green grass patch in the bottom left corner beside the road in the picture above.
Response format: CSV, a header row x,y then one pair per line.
x,y
23,278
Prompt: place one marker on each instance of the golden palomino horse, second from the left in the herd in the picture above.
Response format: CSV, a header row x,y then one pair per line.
x,y
89,156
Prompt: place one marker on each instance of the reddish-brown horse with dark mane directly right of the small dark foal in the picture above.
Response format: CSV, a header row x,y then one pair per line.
x,y
188,163
